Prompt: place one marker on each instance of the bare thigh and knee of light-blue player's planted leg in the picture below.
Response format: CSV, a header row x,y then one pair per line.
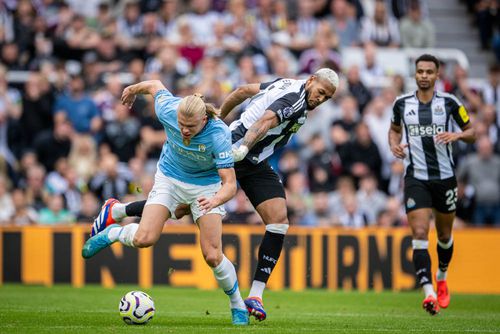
x,y
210,226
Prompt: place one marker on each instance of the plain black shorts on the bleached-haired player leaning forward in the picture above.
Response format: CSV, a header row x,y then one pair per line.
x,y
259,182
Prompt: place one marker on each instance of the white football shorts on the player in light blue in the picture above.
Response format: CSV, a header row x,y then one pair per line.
x,y
170,192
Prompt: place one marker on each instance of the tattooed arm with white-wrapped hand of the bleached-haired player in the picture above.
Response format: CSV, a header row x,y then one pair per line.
x,y
258,129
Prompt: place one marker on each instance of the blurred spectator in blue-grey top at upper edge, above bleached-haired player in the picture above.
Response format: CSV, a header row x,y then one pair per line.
x,y
344,24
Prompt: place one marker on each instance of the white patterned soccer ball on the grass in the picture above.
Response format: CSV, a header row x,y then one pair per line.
x,y
136,308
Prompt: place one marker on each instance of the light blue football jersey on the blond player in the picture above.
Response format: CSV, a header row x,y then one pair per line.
x,y
196,163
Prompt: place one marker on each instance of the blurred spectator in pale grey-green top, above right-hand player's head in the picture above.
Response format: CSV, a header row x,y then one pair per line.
x,y
416,32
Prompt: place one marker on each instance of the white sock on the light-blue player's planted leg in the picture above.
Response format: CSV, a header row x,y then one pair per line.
x,y
225,274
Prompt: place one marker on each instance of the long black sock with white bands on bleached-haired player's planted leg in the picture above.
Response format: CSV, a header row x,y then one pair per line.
x,y
269,253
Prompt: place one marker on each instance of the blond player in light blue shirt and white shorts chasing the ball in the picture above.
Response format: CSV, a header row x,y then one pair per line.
x,y
195,159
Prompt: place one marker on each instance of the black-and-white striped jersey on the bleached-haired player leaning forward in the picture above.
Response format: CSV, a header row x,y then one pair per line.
x,y
285,97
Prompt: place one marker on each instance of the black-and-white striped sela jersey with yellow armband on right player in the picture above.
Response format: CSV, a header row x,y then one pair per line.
x,y
428,160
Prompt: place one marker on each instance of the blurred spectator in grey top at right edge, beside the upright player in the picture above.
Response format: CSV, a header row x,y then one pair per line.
x,y
482,171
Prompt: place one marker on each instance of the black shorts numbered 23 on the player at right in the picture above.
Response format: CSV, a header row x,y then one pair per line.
x,y
438,194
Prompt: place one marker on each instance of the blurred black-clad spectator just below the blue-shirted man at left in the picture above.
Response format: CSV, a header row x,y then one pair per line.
x,y
51,145
